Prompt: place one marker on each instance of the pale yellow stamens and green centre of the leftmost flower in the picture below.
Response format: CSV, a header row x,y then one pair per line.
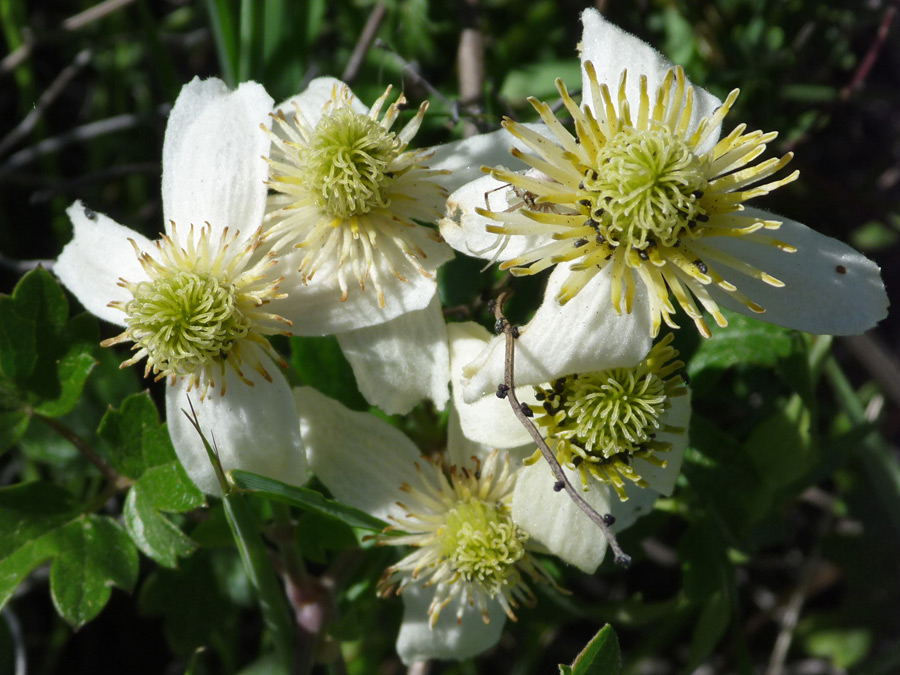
x,y
201,309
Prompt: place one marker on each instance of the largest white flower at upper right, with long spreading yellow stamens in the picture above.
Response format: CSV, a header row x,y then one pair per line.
x,y
644,203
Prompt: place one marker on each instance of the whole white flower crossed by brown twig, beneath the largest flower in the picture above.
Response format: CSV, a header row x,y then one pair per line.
x,y
619,433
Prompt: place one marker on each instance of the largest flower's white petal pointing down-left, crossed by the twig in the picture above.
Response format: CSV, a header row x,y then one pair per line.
x,y
584,335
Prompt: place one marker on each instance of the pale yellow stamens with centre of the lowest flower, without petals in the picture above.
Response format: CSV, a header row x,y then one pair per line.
x,y
467,546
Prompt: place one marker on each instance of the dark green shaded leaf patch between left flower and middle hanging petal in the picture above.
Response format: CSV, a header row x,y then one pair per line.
x,y
320,363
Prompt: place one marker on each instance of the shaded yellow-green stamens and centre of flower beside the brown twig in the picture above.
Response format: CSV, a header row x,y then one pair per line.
x,y
600,422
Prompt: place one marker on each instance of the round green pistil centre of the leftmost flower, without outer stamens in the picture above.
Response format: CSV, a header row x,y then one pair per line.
x,y
185,321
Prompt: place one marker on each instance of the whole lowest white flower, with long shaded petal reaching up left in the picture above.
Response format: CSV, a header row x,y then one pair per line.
x,y
471,566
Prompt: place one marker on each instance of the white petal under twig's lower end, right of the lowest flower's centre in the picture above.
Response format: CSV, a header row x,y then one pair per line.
x,y
554,521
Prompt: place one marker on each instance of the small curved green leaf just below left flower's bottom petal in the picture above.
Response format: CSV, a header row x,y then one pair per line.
x,y
154,534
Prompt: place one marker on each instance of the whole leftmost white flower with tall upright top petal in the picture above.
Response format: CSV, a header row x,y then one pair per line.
x,y
198,303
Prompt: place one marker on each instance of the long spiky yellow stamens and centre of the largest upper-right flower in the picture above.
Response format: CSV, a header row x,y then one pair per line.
x,y
635,190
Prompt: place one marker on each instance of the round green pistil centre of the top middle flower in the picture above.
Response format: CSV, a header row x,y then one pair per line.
x,y
347,163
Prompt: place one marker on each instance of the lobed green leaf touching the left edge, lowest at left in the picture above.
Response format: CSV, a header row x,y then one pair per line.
x,y
90,553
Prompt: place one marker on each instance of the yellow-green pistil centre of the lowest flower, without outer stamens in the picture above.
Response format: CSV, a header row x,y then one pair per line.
x,y
482,543
